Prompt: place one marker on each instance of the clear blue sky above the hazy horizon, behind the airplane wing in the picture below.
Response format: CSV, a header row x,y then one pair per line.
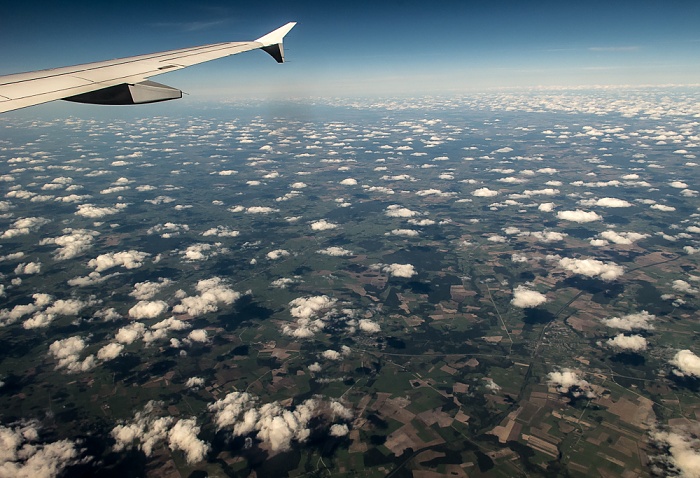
x,y
360,47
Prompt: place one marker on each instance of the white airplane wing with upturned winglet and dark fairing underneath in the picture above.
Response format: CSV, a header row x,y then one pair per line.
x,y
123,81
